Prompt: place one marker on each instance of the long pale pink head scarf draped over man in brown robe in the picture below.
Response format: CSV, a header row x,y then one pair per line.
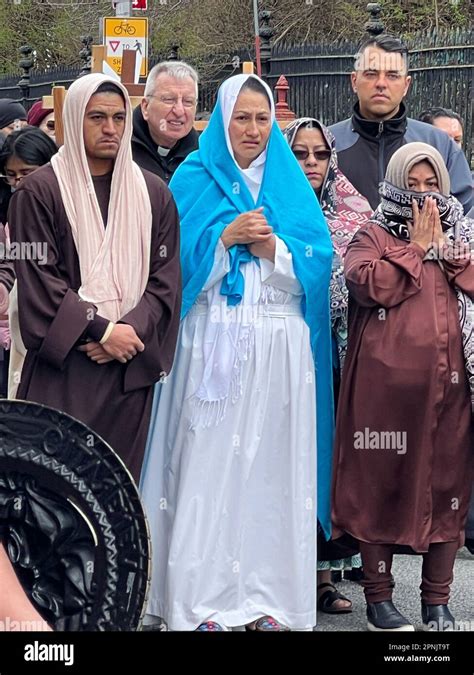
x,y
114,260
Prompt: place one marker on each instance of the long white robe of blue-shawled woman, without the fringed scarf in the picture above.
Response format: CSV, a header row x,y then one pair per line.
x,y
232,507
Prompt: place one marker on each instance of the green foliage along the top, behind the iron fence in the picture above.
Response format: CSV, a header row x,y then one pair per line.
x,y
203,28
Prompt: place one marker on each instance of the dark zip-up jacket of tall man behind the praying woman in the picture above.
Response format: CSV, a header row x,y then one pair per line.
x,y
364,148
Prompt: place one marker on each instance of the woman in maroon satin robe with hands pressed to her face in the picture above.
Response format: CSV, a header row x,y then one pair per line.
x,y
404,438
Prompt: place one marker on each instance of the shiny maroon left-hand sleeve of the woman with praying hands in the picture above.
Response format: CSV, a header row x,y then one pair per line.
x,y
377,274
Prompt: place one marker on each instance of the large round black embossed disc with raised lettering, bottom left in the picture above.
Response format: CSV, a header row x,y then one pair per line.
x,y
72,521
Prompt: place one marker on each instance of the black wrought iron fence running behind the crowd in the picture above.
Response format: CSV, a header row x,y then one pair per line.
x,y
441,65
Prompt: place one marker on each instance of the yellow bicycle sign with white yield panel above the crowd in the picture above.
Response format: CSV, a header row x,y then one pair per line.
x,y
126,33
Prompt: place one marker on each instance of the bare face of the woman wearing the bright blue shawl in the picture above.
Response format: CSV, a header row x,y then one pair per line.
x,y
250,126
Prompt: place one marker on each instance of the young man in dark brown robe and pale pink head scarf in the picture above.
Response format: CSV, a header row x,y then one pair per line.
x,y
100,318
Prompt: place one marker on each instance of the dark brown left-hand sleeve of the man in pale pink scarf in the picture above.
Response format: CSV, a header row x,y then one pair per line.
x,y
52,316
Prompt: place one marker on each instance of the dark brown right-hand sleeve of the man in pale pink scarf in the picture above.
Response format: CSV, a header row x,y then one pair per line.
x,y
156,317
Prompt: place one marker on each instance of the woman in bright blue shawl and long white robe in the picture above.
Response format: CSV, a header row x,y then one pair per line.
x,y
229,482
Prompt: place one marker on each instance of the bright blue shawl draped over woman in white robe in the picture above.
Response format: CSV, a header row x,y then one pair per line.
x,y
210,193
